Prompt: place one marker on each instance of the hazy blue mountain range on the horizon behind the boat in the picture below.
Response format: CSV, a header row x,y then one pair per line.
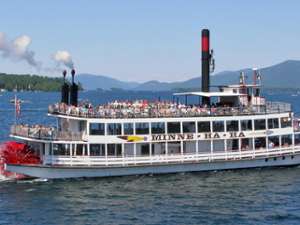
x,y
282,75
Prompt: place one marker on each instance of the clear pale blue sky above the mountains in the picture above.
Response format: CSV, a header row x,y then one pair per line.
x,y
139,40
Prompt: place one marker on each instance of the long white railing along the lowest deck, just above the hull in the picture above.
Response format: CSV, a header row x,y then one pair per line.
x,y
160,159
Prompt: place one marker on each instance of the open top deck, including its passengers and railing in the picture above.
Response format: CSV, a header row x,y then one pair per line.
x,y
145,109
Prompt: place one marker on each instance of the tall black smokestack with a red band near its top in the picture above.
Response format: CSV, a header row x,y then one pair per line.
x,y
205,65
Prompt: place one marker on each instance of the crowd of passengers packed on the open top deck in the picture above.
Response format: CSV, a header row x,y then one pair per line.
x,y
143,108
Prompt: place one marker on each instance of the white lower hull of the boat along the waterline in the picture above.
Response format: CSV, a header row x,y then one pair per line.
x,y
55,172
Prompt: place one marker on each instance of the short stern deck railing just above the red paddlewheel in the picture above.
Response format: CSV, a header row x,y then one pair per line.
x,y
45,133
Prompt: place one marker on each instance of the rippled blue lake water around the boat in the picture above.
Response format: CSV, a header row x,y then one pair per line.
x,y
257,196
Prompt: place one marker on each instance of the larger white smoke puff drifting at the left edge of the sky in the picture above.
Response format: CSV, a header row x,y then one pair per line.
x,y
18,49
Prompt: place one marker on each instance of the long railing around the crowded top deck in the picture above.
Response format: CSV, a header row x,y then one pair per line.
x,y
156,112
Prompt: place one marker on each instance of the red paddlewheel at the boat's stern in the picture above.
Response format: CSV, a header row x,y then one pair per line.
x,y
16,153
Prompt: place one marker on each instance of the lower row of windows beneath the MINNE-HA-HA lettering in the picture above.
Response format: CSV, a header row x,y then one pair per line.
x,y
174,147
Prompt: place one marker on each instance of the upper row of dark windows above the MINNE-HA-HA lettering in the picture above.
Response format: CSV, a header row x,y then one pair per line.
x,y
188,127
